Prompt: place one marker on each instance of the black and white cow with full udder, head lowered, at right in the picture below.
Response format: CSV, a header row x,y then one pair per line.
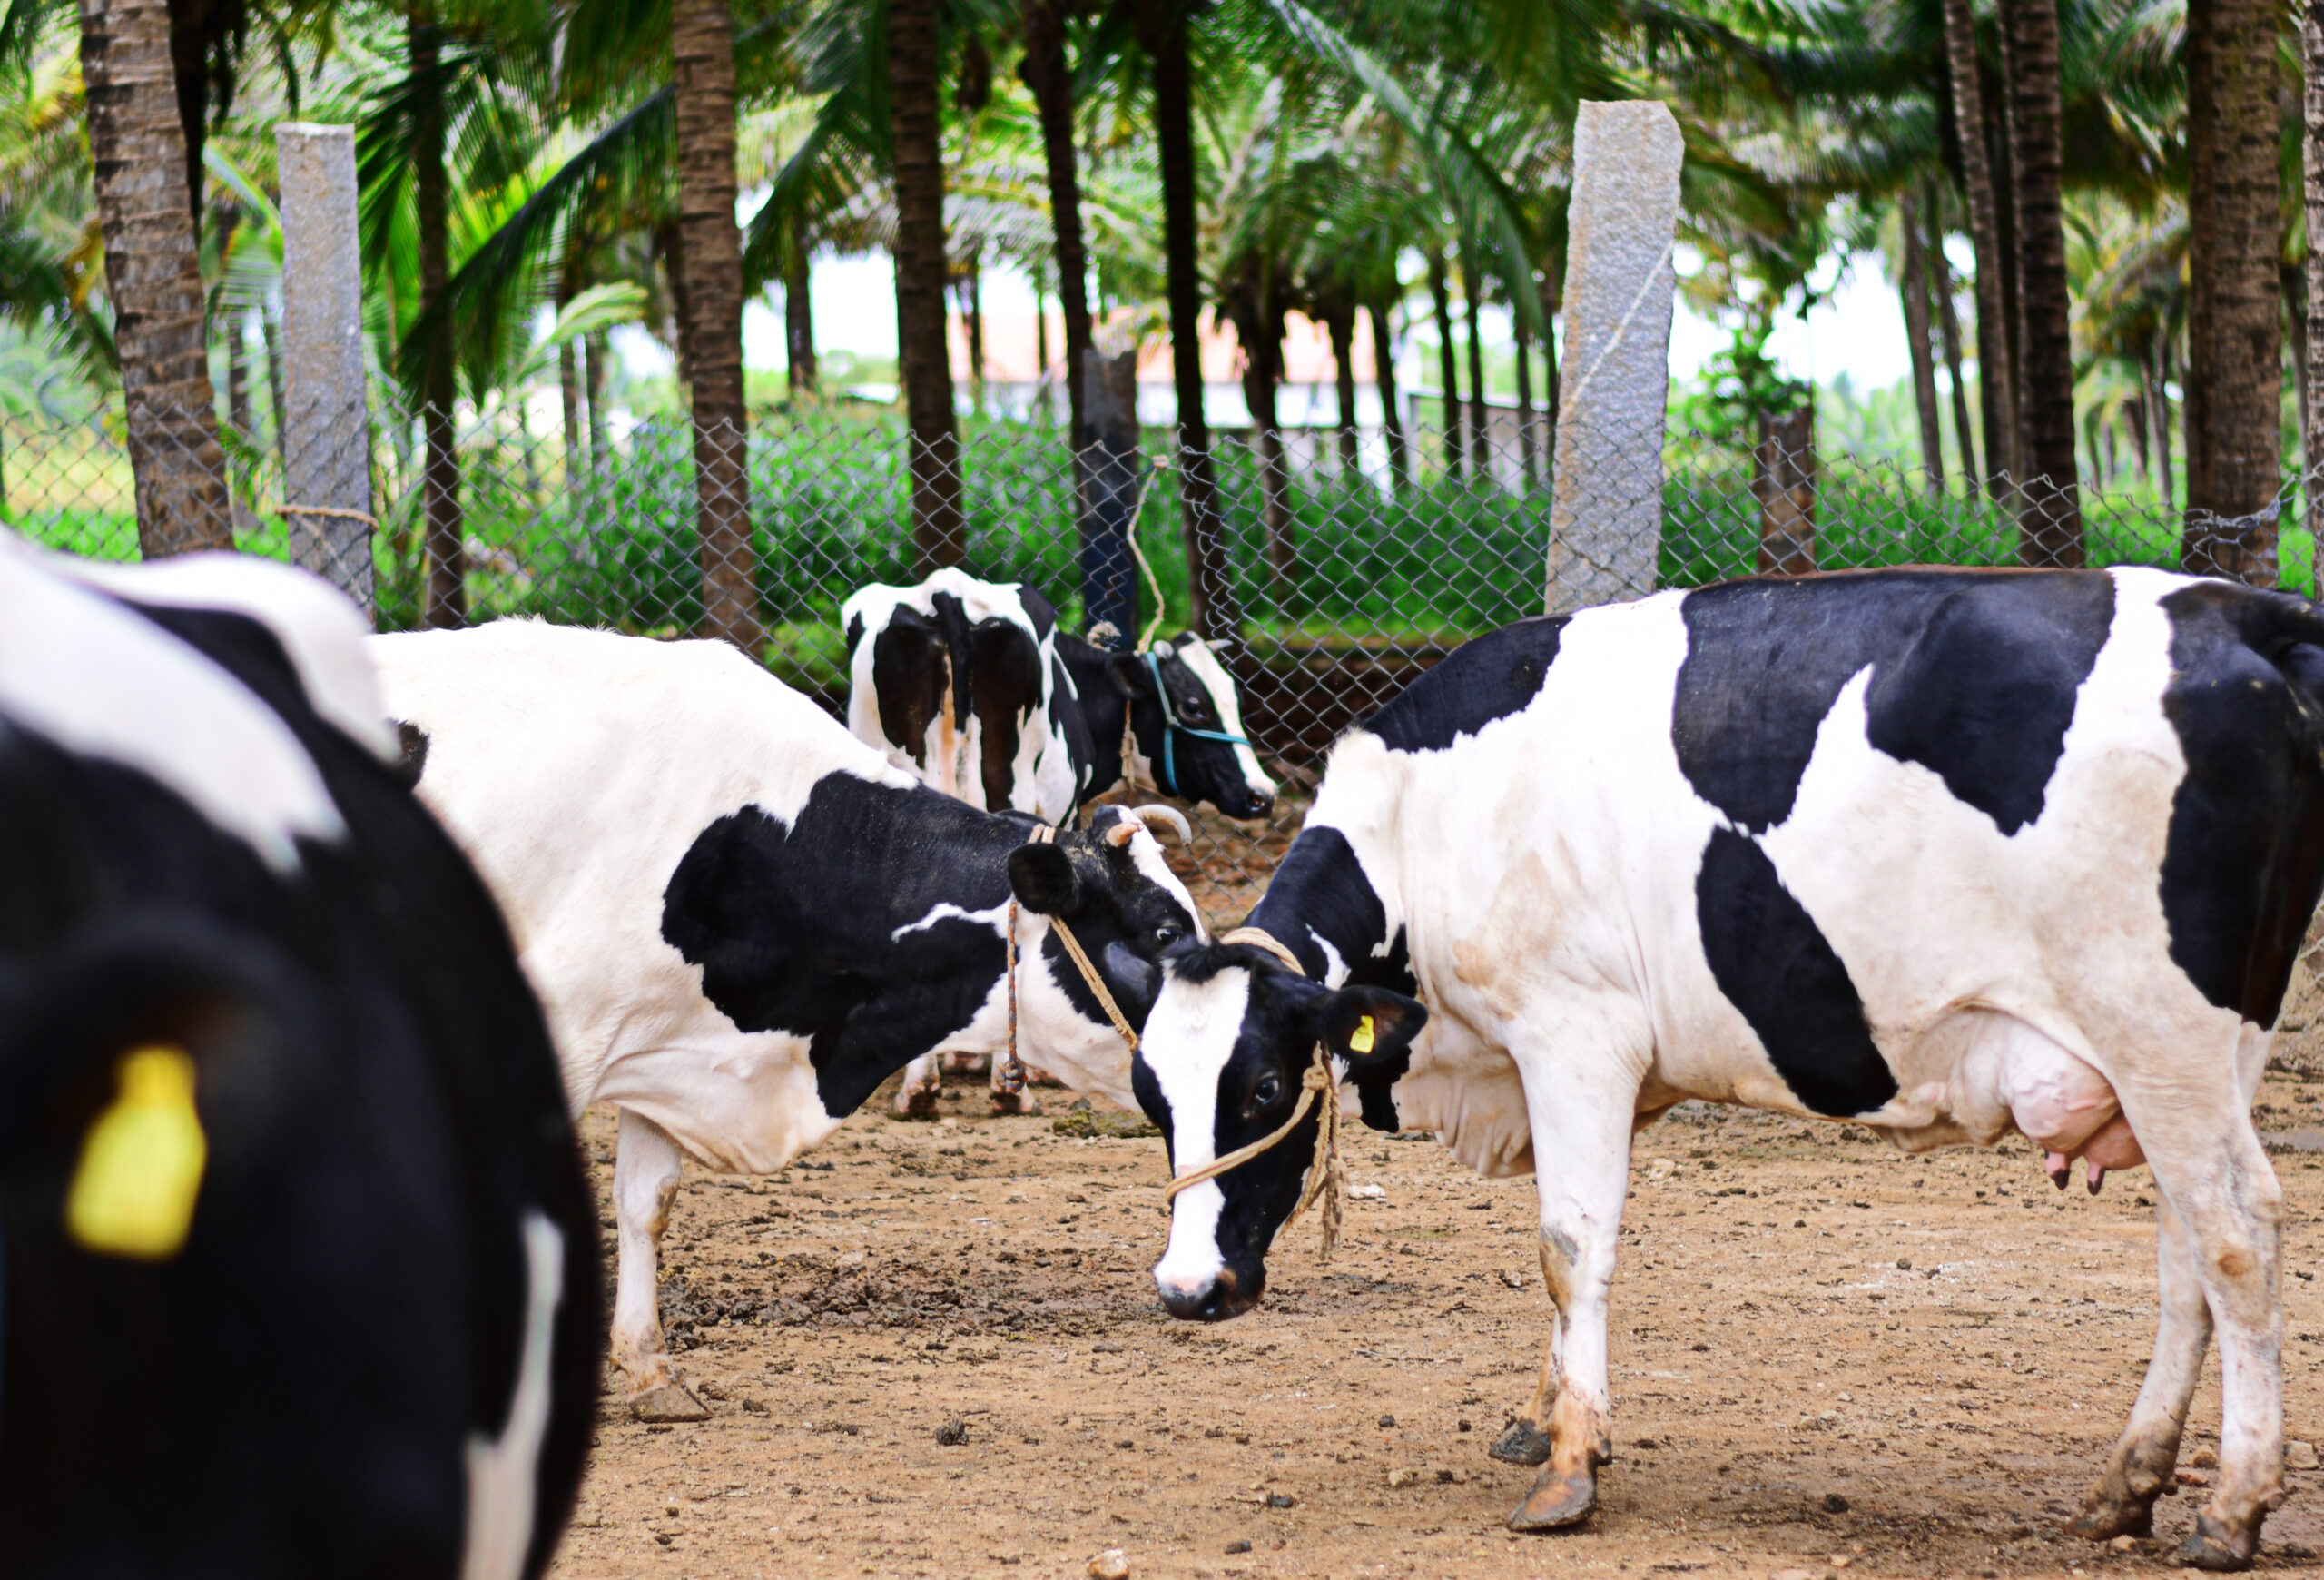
x,y
1944,854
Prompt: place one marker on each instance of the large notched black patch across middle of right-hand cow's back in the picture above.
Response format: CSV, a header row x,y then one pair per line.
x,y
1974,677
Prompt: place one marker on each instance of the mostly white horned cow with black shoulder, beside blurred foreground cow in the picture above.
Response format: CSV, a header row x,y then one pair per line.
x,y
740,919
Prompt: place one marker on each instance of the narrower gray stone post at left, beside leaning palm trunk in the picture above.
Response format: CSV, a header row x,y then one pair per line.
x,y
327,422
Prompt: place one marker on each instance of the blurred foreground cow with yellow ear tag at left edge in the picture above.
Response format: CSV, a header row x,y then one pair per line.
x,y
296,1258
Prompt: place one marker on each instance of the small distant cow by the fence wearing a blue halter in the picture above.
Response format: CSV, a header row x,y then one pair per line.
x,y
973,689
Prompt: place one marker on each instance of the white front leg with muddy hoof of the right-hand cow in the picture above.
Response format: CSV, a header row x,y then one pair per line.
x,y
1581,1154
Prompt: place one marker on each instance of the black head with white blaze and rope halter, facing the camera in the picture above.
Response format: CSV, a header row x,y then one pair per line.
x,y
1221,1063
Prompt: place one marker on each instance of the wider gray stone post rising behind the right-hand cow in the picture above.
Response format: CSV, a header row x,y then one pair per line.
x,y
1607,512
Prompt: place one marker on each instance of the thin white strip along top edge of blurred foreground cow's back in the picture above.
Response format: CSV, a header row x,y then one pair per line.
x,y
322,633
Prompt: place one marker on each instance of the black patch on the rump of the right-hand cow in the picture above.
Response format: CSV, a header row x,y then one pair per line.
x,y
2246,854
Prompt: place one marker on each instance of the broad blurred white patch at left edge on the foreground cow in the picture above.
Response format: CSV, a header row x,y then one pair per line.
x,y
99,680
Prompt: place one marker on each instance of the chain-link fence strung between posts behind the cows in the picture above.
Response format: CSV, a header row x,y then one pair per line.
x,y
1337,566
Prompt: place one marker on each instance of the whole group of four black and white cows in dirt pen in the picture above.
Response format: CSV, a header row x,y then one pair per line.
x,y
313,947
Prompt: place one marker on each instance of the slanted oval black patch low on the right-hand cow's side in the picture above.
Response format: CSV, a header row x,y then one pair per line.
x,y
1774,965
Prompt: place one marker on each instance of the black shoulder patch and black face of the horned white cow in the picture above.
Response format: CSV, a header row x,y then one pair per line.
x,y
817,928
